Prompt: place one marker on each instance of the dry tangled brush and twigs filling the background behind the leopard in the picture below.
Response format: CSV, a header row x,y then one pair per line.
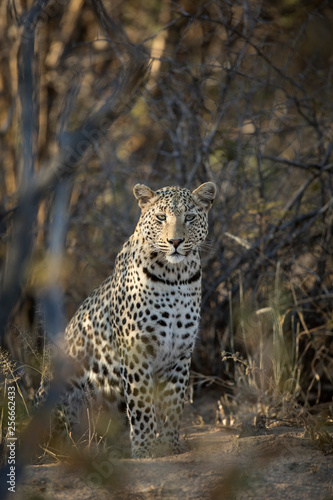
x,y
240,93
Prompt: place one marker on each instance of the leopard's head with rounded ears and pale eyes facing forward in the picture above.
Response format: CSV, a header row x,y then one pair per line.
x,y
174,220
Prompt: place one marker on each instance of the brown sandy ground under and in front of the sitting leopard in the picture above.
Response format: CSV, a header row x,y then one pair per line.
x,y
219,463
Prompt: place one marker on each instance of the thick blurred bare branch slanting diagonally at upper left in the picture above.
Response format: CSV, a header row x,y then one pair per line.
x,y
77,144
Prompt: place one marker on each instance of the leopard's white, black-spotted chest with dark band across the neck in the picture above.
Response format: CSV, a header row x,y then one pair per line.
x,y
165,314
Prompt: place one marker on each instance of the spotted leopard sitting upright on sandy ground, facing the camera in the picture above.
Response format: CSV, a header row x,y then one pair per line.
x,y
133,337
